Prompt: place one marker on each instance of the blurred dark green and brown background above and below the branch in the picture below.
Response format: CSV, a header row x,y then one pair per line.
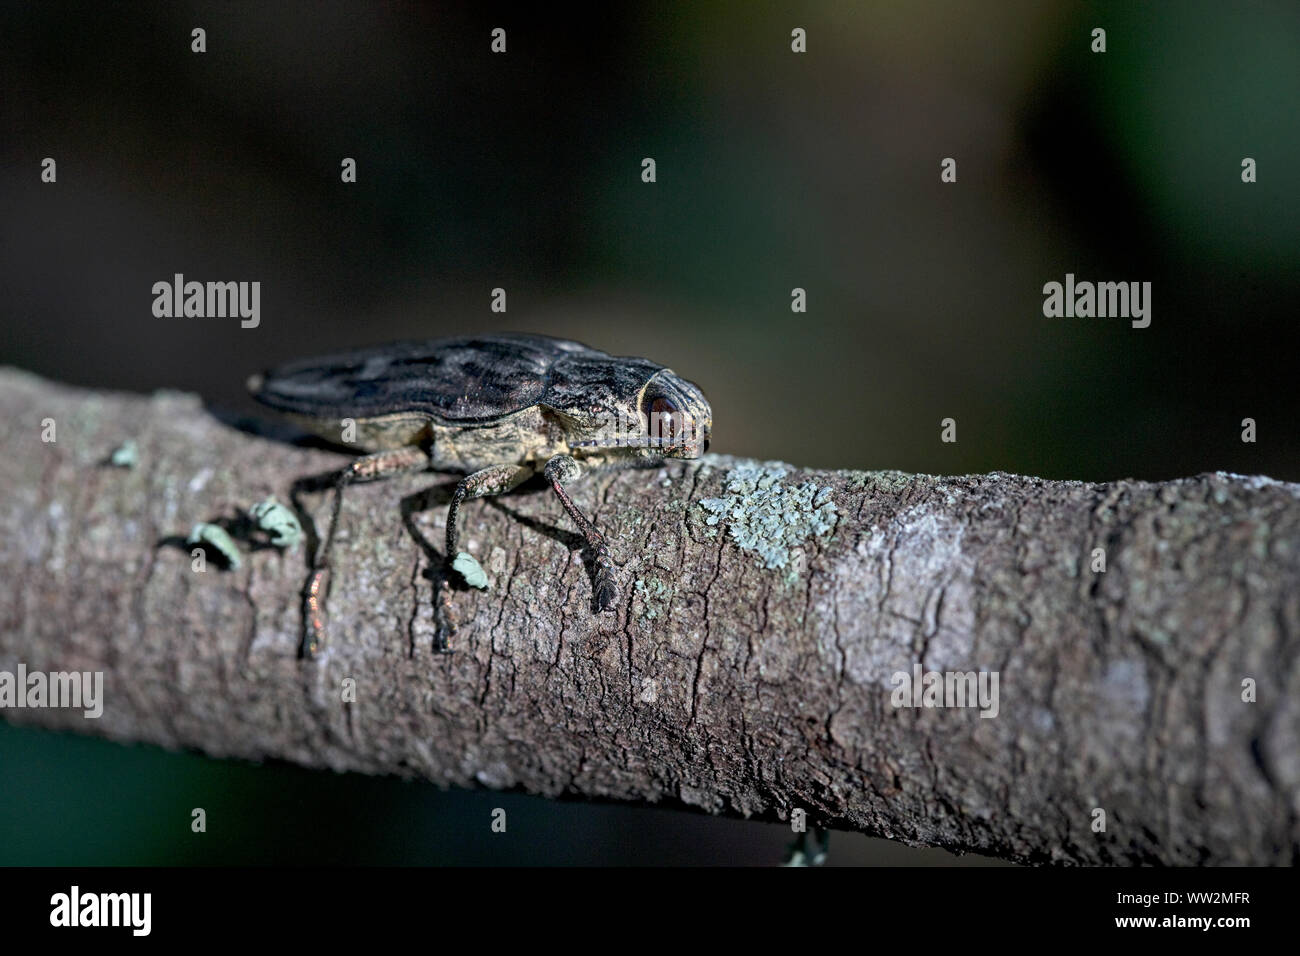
x,y
775,170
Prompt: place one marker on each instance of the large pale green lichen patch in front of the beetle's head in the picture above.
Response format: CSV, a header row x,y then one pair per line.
x,y
765,516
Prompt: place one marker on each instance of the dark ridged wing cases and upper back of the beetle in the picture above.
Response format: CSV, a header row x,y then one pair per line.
x,y
463,380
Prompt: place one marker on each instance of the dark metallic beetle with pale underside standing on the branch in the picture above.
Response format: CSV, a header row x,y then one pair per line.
x,y
499,409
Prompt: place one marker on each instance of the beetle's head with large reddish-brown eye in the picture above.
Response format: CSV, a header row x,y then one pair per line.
x,y
668,418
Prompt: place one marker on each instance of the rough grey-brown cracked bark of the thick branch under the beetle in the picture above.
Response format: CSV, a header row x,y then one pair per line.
x,y
718,682
